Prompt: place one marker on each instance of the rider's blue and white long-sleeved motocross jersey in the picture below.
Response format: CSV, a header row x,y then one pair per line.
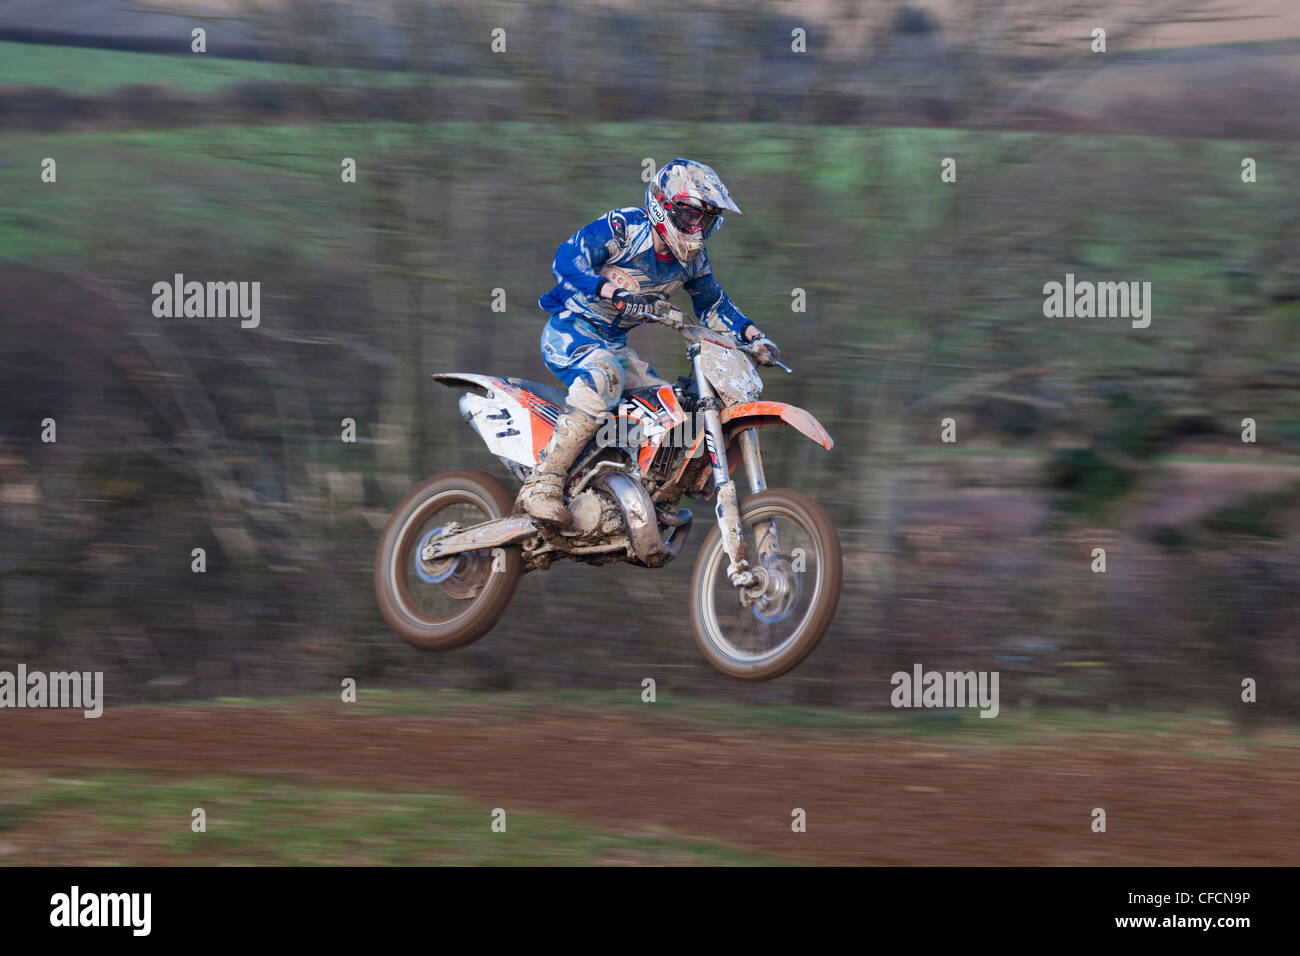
x,y
619,248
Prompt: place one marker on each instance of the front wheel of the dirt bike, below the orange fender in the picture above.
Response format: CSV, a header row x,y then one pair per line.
x,y
759,638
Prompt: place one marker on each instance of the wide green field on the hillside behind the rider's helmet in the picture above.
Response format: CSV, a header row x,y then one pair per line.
x,y
870,206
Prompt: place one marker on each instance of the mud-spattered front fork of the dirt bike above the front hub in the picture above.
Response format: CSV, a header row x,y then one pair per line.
x,y
753,581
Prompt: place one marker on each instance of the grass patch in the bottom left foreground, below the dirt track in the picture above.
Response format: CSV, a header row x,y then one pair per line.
x,y
98,819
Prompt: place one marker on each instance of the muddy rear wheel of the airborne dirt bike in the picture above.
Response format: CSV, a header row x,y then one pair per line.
x,y
453,602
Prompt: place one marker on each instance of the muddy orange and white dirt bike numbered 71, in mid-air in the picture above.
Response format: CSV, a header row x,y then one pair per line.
x,y
454,551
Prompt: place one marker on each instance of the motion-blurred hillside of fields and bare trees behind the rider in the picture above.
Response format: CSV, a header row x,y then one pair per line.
x,y
924,302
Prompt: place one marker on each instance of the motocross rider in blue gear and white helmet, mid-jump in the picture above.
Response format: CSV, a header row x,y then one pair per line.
x,y
604,272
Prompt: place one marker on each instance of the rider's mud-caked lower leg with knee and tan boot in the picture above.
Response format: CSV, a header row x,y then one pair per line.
x,y
597,383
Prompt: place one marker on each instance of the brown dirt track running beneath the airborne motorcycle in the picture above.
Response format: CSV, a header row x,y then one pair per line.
x,y
899,802
